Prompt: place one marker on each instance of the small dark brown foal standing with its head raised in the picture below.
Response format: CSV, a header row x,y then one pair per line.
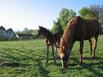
x,y
52,39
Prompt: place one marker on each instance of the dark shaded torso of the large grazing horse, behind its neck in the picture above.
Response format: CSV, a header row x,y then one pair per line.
x,y
87,29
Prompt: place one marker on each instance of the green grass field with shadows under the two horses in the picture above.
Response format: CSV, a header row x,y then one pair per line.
x,y
27,59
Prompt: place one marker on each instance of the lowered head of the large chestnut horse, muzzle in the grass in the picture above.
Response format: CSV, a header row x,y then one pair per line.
x,y
63,54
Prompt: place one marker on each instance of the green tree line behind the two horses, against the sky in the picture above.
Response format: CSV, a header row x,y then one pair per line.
x,y
66,14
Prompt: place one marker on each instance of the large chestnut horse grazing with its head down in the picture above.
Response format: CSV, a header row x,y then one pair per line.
x,y
78,29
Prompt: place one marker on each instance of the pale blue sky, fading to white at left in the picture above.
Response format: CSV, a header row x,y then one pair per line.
x,y
19,14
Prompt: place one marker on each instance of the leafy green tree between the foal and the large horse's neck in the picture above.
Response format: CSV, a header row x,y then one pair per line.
x,y
64,17
